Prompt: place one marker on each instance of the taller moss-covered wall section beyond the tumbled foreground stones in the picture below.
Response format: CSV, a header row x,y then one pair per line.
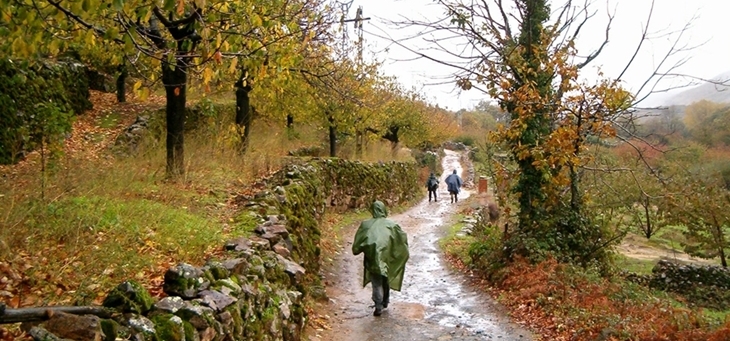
x,y
302,191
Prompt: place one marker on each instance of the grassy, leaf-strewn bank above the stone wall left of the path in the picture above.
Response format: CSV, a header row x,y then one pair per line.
x,y
101,218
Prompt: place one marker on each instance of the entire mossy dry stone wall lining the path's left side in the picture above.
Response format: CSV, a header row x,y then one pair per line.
x,y
259,290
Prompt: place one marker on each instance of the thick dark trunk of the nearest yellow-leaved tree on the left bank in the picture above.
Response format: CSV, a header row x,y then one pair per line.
x,y
175,81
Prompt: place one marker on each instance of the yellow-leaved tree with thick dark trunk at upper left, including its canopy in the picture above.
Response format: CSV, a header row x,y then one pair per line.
x,y
171,41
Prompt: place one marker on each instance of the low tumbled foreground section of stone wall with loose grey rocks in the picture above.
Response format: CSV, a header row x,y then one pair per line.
x,y
251,296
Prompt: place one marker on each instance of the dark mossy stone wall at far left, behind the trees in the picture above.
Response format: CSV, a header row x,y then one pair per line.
x,y
23,85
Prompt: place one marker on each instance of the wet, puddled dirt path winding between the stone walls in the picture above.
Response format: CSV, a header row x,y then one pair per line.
x,y
436,303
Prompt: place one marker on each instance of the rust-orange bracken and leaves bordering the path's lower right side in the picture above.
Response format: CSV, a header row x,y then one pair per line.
x,y
558,304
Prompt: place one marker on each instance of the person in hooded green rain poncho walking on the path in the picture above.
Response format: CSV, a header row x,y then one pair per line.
x,y
385,246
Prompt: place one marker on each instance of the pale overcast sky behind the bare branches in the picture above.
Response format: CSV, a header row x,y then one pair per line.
x,y
706,61
